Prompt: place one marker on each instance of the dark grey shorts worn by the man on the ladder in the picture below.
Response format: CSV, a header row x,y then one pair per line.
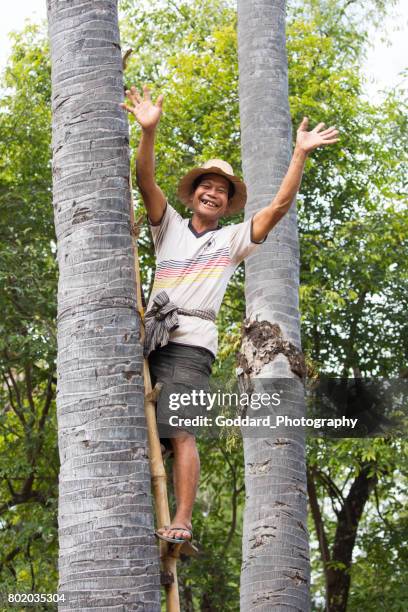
x,y
182,370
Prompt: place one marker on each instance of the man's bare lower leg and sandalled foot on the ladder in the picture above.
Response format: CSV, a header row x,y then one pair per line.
x,y
186,473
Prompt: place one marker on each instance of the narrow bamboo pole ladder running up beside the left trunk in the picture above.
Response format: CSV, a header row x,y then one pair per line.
x,y
169,553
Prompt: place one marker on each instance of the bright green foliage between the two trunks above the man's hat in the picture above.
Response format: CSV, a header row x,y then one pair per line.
x,y
194,65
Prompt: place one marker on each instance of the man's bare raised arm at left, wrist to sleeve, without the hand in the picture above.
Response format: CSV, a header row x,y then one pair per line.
x,y
152,195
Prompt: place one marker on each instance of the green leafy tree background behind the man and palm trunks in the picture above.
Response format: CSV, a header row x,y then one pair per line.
x,y
353,234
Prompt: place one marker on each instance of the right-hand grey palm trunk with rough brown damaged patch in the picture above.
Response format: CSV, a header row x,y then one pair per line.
x,y
275,568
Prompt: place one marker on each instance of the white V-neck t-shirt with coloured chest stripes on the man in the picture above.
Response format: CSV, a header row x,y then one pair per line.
x,y
194,270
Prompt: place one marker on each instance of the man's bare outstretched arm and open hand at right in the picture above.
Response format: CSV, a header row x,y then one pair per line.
x,y
264,220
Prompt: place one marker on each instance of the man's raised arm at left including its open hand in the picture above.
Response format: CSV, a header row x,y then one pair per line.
x,y
147,115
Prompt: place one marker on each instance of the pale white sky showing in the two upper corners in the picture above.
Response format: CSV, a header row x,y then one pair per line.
x,y
382,68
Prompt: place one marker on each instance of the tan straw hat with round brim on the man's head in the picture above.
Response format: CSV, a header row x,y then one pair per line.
x,y
214,166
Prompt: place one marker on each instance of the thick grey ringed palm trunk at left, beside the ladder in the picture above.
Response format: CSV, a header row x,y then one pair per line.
x,y
108,557
